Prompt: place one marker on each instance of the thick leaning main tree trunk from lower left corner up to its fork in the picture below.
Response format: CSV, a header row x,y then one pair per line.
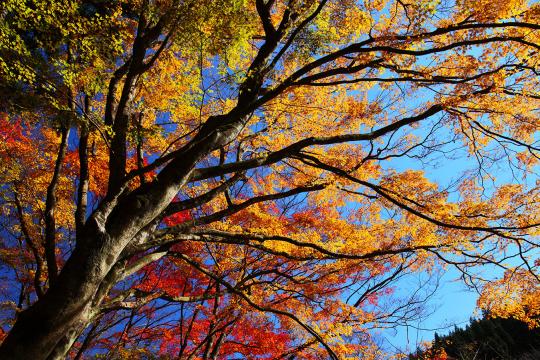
x,y
67,305
